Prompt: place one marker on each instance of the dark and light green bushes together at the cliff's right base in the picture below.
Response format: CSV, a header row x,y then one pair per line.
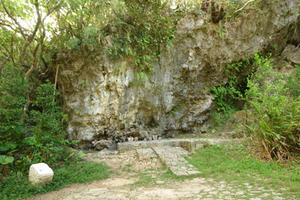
x,y
272,102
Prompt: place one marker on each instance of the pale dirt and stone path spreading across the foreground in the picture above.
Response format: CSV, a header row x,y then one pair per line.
x,y
144,180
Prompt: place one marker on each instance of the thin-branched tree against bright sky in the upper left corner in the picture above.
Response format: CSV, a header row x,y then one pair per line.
x,y
23,43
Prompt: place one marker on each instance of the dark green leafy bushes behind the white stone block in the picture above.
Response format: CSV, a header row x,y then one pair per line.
x,y
31,122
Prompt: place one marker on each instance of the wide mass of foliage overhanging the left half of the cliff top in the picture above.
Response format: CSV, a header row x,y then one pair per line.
x,y
132,28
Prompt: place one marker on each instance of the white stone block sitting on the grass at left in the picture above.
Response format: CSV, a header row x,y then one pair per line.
x,y
40,174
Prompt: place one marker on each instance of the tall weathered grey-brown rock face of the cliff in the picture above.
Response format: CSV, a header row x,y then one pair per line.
x,y
102,102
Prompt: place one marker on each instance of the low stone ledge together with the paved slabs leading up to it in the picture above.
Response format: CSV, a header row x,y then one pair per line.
x,y
171,152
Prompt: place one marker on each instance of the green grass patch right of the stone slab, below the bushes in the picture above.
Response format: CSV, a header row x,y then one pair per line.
x,y
235,165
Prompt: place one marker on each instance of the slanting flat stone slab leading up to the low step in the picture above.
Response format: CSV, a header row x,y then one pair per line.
x,y
173,158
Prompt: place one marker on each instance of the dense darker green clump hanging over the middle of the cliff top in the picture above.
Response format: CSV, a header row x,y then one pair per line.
x,y
140,33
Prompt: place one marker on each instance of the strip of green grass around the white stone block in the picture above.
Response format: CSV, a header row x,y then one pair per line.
x,y
18,187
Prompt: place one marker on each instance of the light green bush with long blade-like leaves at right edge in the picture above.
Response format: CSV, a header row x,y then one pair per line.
x,y
276,115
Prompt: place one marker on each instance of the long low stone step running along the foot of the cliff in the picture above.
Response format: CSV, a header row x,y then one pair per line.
x,y
189,144
